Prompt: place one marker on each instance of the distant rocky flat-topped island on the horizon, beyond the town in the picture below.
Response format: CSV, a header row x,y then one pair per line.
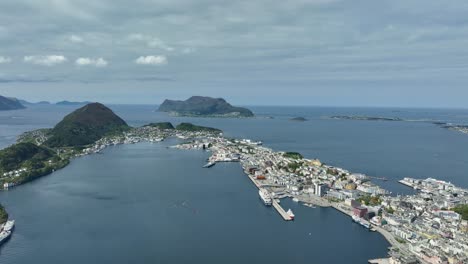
x,y
204,107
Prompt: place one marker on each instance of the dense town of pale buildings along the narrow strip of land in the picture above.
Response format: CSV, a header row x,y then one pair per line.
x,y
421,228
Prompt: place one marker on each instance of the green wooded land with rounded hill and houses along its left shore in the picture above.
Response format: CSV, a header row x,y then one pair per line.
x,y
86,130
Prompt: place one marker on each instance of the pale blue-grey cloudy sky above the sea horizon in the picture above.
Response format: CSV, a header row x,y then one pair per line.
x,y
403,53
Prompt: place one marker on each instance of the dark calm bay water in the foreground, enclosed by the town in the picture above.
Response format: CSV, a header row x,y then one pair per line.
x,y
136,203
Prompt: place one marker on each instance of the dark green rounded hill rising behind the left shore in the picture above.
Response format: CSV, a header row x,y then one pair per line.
x,y
86,125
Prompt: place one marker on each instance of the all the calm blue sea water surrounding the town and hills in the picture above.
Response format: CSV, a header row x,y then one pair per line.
x,y
145,203
